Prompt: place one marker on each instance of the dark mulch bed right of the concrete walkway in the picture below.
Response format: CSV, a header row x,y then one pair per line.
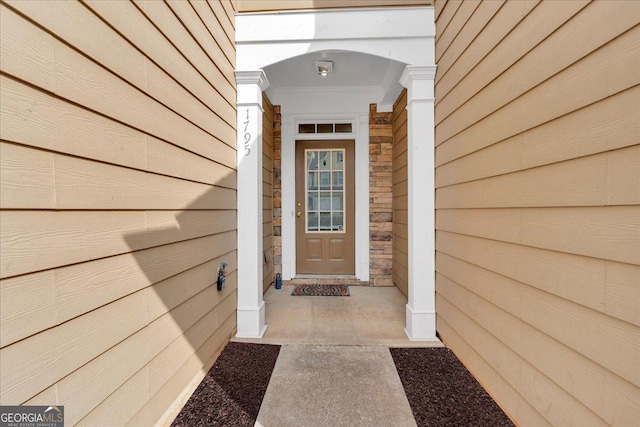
x,y
442,392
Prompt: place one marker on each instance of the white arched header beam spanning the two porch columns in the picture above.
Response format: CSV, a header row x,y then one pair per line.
x,y
401,34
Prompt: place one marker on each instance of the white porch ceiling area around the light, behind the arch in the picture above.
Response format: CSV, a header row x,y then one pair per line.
x,y
350,69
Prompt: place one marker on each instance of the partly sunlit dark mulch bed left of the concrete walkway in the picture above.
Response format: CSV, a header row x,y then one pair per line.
x,y
232,391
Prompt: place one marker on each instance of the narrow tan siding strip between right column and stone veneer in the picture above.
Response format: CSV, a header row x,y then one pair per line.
x,y
400,188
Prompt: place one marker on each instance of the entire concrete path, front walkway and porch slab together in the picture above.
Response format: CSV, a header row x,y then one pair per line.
x,y
334,367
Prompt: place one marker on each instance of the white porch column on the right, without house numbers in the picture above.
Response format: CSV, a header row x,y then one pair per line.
x,y
421,313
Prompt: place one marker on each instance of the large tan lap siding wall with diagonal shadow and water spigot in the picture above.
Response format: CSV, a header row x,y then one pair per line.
x,y
118,193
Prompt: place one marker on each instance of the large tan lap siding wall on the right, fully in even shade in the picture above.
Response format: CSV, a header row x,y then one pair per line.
x,y
537,204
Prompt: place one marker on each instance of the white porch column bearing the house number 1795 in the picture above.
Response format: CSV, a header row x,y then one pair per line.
x,y
251,311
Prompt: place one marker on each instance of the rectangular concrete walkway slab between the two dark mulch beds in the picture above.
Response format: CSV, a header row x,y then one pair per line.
x,y
319,386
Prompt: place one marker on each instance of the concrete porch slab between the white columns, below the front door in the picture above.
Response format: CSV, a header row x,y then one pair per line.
x,y
370,316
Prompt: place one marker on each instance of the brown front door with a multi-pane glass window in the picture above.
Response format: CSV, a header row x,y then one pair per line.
x,y
325,207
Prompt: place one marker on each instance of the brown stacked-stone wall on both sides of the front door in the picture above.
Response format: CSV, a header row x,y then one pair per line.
x,y
381,200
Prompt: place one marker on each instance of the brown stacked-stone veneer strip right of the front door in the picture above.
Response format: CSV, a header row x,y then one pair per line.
x,y
380,197
